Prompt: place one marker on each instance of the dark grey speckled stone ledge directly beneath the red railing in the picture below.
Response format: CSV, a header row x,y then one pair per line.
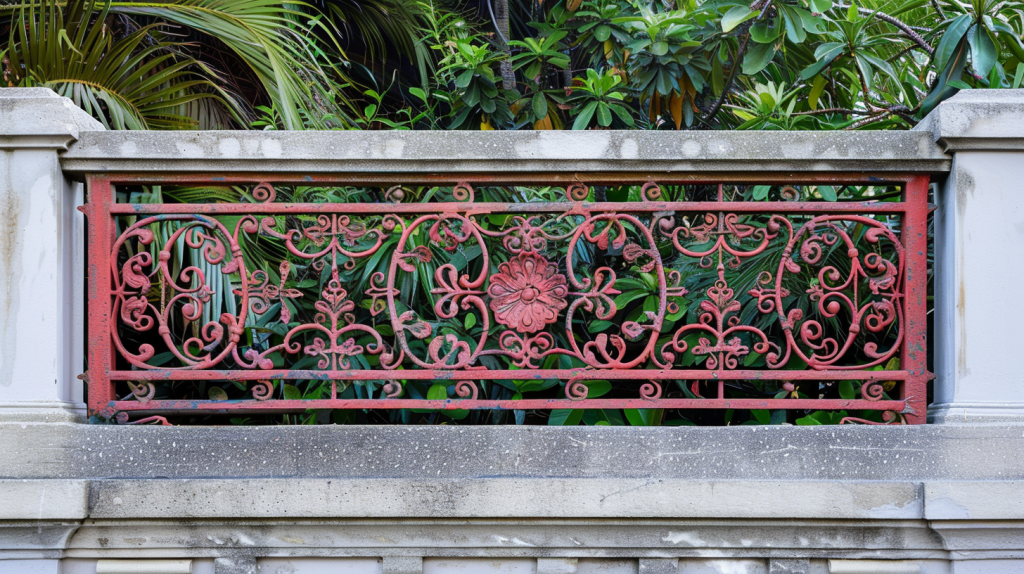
x,y
926,453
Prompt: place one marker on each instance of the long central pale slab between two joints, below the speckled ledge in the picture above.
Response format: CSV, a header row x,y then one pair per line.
x,y
494,498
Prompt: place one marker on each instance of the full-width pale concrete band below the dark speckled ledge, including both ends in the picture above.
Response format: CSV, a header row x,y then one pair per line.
x,y
292,499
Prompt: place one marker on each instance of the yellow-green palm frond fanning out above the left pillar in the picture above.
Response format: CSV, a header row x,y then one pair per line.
x,y
135,82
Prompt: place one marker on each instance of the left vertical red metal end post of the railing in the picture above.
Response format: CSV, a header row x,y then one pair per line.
x,y
101,241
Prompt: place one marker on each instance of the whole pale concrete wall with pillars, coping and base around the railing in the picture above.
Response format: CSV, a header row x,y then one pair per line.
x,y
946,499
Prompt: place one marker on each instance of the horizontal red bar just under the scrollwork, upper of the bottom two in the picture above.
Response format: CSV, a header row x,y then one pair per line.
x,y
522,375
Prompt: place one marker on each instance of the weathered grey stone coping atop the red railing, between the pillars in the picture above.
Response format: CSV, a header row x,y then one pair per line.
x,y
654,154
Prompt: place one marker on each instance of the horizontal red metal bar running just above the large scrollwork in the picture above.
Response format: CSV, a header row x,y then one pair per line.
x,y
486,208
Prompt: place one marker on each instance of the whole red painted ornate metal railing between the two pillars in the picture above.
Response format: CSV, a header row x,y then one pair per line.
x,y
693,296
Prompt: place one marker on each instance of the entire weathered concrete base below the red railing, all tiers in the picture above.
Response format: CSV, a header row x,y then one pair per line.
x,y
544,501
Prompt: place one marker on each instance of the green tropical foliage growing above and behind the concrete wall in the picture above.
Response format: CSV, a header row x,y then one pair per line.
x,y
504,65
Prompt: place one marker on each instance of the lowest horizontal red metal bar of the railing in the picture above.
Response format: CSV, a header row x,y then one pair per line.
x,y
528,405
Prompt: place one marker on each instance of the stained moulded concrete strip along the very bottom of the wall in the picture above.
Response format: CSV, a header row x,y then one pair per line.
x,y
423,546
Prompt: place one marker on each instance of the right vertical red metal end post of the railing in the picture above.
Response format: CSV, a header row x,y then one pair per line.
x,y
915,351
